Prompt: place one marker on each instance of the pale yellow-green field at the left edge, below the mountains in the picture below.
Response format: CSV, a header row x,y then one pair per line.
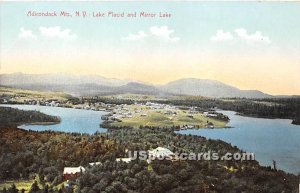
x,y
20,95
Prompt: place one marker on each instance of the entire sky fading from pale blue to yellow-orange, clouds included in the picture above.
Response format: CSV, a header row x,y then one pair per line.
x,y
199,40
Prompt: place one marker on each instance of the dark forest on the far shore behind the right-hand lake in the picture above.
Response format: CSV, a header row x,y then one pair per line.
x,y
286,108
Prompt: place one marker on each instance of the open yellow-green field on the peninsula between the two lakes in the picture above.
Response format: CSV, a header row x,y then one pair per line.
x,y
165,118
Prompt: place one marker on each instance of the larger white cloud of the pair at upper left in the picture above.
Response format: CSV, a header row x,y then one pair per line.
x,y
57,32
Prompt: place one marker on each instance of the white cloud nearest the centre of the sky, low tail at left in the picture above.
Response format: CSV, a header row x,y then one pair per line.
x,y
161,33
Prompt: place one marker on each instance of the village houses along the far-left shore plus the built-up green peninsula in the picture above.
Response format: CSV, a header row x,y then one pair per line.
x,y
142,113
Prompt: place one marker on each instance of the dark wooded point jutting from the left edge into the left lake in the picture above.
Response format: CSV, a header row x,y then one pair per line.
x,y
13,117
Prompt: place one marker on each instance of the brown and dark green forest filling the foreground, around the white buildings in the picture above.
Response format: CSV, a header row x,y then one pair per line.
x,y
24,154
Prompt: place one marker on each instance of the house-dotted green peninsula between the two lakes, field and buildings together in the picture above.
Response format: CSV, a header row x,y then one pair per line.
x,y
164,115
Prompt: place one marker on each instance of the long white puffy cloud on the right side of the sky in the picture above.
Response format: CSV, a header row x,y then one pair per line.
x,y
240,34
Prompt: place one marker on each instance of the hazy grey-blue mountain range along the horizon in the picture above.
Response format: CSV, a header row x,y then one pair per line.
x,y
82,85
